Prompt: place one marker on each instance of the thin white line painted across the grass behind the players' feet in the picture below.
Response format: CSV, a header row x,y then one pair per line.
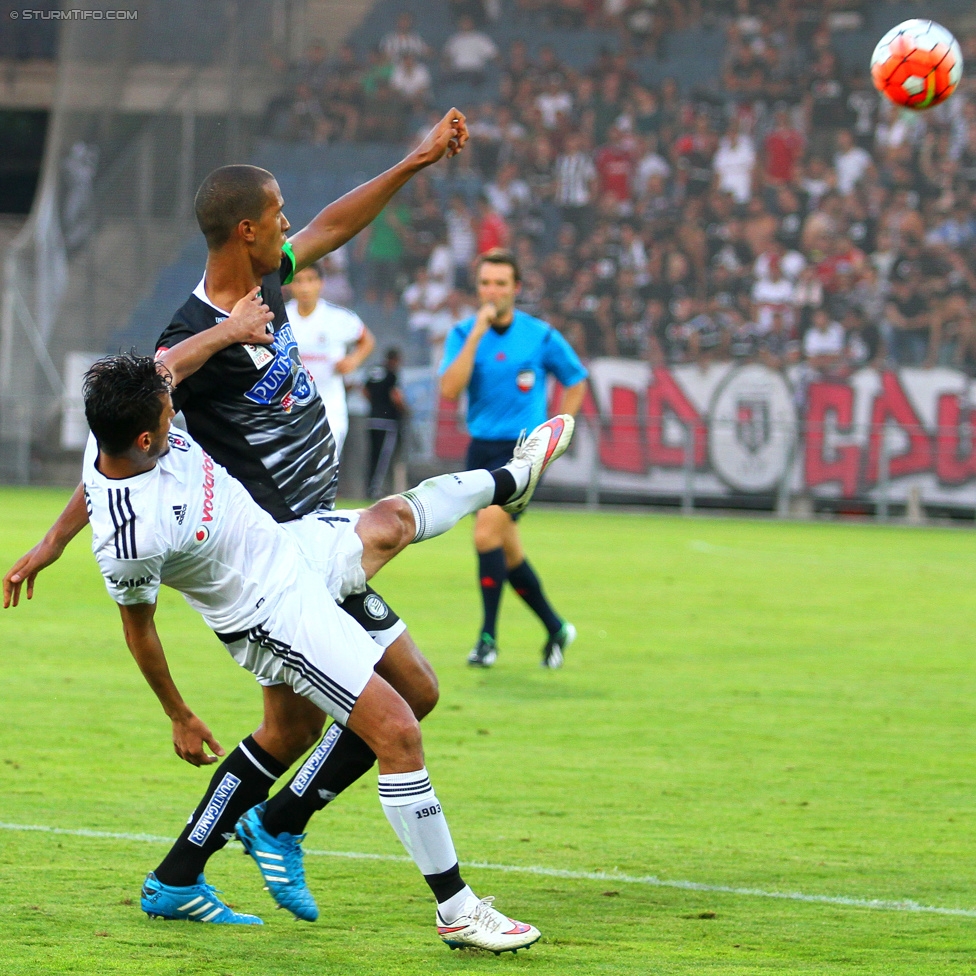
x,y
878,904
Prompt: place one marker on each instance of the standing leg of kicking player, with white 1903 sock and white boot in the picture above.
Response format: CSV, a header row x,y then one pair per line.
x,y
384,721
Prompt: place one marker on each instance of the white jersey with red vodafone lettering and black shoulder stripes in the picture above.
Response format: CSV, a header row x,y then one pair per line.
x,y
189,525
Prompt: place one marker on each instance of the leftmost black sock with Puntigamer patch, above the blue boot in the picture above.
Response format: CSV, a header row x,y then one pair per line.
x,y
242,781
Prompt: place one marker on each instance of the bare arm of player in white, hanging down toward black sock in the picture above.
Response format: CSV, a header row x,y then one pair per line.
x,y
190,734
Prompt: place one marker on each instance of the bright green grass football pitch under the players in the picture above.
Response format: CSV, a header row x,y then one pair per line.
x,y
759,758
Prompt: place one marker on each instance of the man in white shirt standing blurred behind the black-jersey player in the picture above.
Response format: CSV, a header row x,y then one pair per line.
x,y
333,342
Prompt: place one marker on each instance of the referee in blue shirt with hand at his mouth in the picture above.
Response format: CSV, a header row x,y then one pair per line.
x,y
502,357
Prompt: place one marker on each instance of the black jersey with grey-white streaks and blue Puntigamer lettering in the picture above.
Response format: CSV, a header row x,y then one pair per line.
x,y
256,410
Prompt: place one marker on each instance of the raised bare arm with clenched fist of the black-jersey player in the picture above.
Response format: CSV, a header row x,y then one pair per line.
x,y
346,217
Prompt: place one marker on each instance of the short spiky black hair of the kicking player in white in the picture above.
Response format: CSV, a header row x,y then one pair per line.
x,y
123,399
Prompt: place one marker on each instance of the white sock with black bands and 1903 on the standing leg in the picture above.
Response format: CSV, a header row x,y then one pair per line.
x,y
411,806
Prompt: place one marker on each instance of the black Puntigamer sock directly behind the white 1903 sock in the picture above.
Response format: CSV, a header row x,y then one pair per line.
x,y
337,762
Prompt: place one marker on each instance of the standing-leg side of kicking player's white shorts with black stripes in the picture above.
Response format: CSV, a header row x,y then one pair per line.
x,y
309,643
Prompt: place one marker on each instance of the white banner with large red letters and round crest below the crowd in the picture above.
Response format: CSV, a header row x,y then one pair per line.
x,y
748,427
